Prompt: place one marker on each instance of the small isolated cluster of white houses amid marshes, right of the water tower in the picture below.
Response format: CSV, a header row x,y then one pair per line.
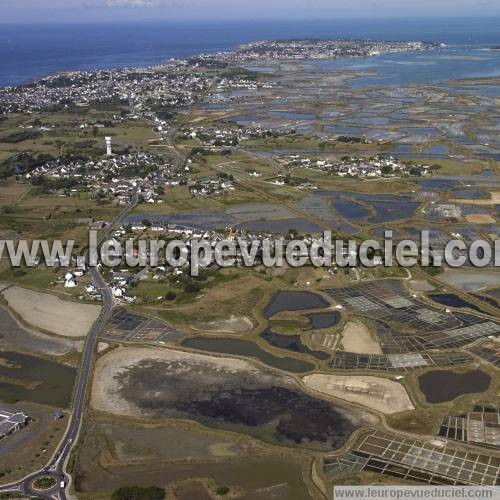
x,y
378,166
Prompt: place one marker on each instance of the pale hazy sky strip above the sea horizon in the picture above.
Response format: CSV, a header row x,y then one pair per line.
x,y
208,10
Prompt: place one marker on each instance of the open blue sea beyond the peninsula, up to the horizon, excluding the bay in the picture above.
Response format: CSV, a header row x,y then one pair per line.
x,y
31,52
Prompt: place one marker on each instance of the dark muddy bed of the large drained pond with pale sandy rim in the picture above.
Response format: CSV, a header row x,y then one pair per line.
x,y
256,402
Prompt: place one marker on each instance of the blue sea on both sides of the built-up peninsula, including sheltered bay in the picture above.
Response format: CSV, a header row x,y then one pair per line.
x,y
31,51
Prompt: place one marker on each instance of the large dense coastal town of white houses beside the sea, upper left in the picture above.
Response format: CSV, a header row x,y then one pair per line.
x,y
175,84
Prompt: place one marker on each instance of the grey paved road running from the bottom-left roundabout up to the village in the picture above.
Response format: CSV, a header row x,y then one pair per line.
x,y
55,468
